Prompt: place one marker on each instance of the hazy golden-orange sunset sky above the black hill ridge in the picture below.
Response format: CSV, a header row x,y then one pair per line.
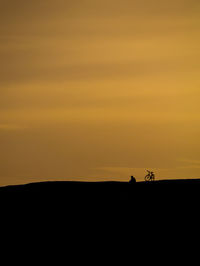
x,y
99,90
